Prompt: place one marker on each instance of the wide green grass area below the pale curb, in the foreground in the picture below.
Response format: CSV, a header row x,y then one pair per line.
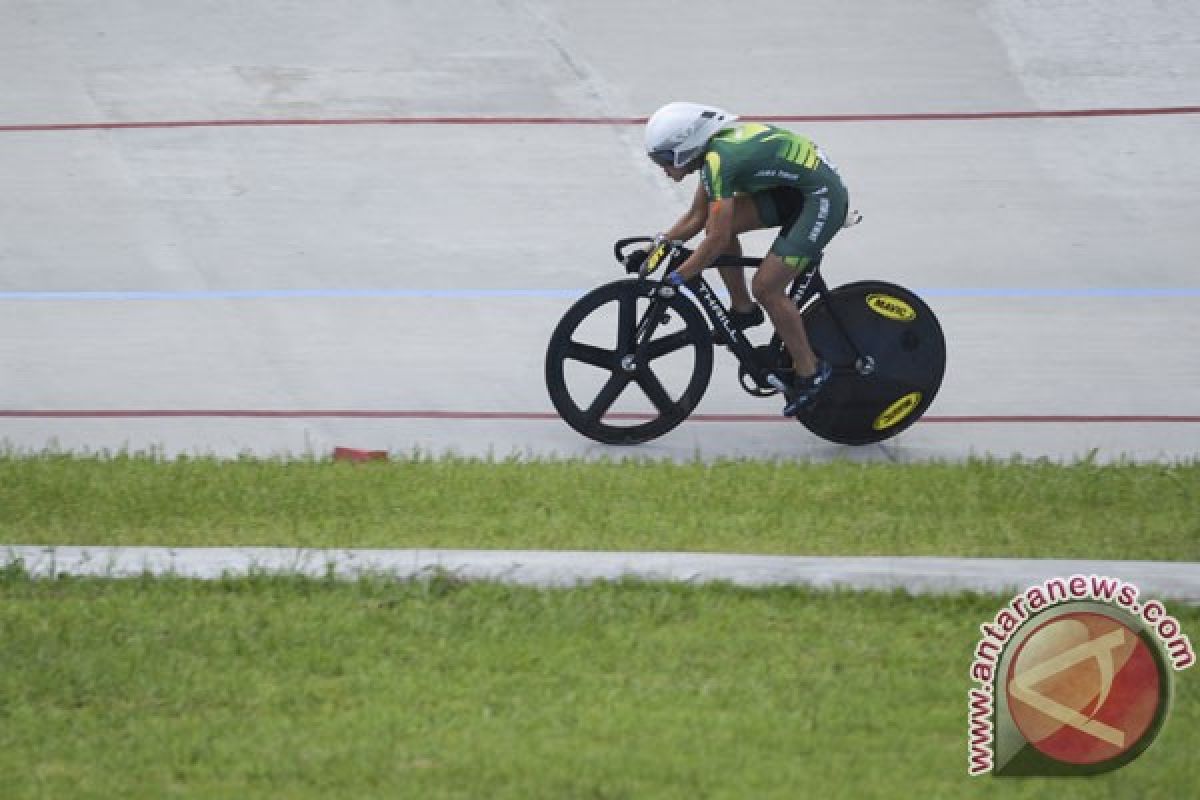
x,y
274,688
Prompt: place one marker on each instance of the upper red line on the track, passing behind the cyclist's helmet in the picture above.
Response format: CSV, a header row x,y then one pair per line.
x,y
602,121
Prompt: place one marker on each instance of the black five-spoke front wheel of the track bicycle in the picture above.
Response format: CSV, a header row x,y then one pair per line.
x,y
593,416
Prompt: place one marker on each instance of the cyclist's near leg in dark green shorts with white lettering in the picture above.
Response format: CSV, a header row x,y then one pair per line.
x,y
801,240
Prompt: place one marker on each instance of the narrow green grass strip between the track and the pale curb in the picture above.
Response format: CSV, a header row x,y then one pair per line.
x,y
976,509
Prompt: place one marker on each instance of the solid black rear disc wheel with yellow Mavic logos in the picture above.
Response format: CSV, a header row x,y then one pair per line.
x,y
904,340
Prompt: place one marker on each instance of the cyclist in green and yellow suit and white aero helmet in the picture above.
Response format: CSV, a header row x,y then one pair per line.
x,y
753,177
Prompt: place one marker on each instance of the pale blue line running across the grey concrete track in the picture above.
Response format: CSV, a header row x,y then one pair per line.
x,y
1027,293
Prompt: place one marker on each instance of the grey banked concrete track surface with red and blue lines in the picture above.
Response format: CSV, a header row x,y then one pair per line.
x,y
287,227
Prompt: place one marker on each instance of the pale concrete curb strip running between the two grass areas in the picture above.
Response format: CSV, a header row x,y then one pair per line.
x,y
557,569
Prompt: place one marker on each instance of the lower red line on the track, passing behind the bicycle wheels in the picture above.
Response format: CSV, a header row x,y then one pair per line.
x,y
517,417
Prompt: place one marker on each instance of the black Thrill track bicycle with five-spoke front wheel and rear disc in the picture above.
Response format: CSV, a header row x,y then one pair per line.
x,y
632,359
